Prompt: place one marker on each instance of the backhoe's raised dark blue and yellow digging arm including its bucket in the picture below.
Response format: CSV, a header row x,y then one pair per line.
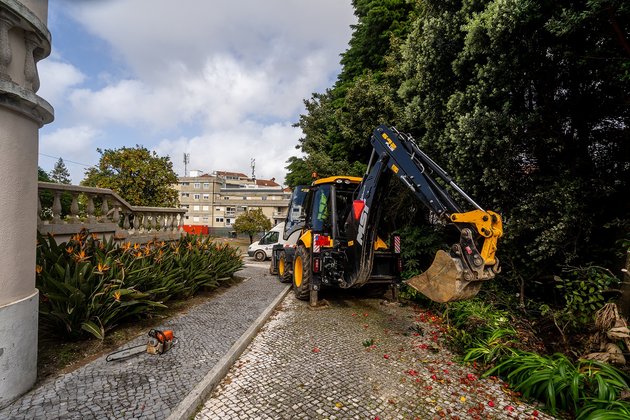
x,y
454,275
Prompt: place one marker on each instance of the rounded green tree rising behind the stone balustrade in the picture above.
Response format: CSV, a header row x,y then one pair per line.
x,y
140,176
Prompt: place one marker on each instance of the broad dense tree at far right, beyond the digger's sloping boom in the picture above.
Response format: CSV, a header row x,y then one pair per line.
x,y
527,102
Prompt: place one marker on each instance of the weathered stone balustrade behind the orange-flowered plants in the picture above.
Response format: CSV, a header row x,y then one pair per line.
x,y
104,213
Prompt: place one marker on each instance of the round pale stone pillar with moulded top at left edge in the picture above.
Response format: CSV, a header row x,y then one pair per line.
x,y
24,40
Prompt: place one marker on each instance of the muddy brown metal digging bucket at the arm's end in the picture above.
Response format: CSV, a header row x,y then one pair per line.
x,y
444,280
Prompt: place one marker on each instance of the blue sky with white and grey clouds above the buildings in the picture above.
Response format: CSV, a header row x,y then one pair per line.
x,y
221,80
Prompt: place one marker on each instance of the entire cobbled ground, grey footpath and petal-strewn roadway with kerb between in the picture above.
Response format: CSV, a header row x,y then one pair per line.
x,y
353,358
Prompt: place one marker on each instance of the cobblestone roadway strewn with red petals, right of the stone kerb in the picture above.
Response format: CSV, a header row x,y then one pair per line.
x,y
358,358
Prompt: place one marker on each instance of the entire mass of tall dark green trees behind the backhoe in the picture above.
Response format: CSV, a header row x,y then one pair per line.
x,y
526,104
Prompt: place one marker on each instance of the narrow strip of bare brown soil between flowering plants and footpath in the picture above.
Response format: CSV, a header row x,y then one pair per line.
x,y
56,357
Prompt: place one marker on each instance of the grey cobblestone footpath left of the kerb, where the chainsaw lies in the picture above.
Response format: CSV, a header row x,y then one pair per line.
x,y
148,386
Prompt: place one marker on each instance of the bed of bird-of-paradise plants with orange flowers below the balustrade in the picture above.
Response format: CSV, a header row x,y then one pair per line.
x,y
89,286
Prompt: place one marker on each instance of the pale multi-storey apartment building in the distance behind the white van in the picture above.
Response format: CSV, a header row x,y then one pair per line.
x,y
214,201
